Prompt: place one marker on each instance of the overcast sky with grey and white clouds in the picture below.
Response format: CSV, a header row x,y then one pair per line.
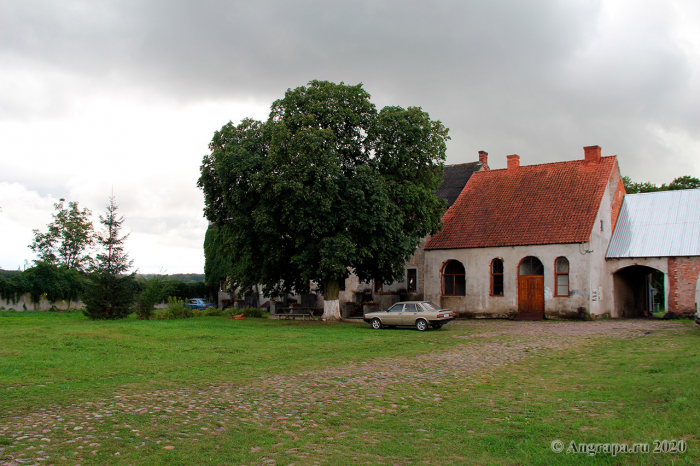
x,y
124,96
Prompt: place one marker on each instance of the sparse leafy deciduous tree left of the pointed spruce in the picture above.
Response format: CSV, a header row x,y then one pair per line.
x,y
68,239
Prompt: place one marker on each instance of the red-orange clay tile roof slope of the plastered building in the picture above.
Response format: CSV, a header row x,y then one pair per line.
x,y
532,204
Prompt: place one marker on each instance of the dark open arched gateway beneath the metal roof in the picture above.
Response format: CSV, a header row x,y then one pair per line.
x,y
637,289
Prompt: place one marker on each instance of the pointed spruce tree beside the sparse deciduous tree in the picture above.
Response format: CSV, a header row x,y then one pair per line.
x,y
109,291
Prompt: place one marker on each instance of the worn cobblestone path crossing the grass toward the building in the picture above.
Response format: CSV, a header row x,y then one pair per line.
x,y
288,402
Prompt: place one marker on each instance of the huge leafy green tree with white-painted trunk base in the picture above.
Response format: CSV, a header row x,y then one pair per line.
x,y
325,186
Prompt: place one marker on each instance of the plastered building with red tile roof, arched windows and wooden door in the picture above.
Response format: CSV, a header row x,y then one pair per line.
x,y
529,241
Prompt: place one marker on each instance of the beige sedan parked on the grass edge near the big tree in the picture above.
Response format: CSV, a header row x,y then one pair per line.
x,y
419,314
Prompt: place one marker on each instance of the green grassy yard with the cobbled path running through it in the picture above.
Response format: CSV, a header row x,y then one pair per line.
x,y
216,391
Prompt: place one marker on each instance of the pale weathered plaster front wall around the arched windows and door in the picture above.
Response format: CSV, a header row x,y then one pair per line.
x,y
477,263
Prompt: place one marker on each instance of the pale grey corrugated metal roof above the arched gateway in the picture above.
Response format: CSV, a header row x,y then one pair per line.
x,y
660,224
